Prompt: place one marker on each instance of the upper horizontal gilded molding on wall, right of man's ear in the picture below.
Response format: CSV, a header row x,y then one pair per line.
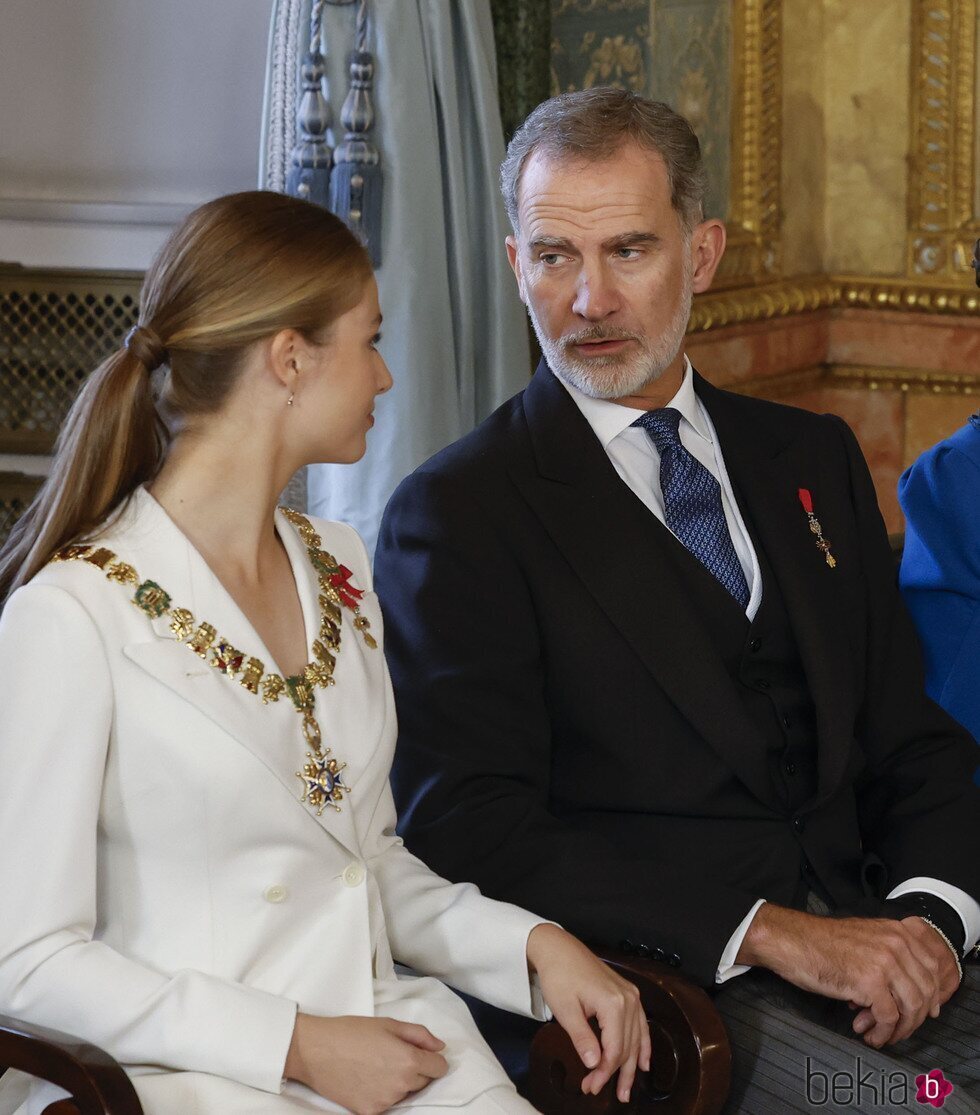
x,y
789,297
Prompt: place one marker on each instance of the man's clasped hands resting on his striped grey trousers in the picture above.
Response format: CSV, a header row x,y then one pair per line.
x,y
894,973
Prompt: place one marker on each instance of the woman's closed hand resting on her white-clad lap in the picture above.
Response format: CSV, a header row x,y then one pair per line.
x,y
364,1064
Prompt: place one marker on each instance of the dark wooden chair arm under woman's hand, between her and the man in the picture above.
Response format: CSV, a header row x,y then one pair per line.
x,y
691,1071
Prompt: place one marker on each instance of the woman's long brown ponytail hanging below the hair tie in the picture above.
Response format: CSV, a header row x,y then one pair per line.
x,y
112,442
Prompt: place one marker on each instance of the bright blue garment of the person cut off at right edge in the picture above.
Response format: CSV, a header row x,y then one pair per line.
x,y
940,576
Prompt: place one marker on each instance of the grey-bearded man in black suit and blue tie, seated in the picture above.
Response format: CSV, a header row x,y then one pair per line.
x,y
654,677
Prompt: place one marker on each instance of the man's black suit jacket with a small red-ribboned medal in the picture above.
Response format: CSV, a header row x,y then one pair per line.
x,y
570,739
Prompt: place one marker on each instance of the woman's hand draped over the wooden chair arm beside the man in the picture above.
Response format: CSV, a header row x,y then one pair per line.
x,y
578,986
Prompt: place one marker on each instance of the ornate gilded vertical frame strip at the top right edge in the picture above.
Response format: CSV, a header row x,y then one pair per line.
x,y
943,179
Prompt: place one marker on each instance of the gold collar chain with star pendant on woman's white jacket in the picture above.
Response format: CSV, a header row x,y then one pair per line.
x,y
323,777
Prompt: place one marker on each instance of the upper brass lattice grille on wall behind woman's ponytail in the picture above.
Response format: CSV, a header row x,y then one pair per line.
x,y
55,328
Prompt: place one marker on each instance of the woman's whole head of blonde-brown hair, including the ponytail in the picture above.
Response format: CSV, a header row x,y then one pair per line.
x,y
237,270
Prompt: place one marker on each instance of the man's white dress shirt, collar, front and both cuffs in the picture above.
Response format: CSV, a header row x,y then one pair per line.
x,y
635,458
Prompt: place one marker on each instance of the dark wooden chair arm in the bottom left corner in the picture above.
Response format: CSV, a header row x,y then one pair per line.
x,y
96,1083
